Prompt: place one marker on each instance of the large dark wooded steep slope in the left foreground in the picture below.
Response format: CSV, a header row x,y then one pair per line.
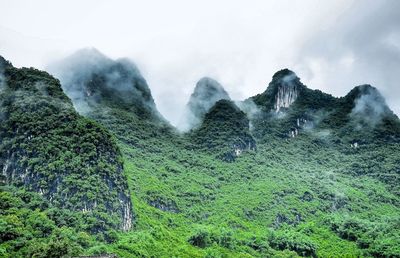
x,y
48,148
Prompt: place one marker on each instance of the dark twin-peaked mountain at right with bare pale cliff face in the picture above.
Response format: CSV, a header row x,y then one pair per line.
x,y
290,108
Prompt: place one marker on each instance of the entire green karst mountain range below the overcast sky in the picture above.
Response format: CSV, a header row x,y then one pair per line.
x,y
291,172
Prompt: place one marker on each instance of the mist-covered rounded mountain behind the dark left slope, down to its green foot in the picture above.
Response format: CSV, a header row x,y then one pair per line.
x,y
114,93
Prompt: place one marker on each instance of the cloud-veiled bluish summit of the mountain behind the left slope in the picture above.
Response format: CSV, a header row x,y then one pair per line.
x,y
90,78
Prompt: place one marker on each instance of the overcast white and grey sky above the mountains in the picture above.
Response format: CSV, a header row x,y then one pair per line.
x,y
331,45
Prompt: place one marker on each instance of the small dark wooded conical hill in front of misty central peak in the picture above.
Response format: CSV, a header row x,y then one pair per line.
x,y
225,129
